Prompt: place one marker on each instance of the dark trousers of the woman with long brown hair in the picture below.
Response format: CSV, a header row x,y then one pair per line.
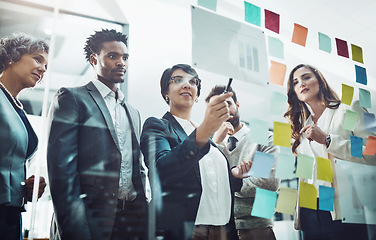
x,y
318,225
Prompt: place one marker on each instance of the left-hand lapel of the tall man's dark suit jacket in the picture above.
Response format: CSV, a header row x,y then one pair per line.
x,y
93,91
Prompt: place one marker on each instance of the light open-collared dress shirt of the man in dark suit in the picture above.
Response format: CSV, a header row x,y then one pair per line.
x,y
122,129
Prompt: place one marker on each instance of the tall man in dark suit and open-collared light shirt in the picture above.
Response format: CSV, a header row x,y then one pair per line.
x,y
94,162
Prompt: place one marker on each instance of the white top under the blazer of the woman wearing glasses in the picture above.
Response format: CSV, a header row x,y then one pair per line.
x,y
215,202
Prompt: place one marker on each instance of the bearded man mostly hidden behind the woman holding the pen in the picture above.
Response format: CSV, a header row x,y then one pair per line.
x,y
233,139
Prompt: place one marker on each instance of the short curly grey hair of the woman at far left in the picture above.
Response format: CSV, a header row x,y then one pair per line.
x,y
12,48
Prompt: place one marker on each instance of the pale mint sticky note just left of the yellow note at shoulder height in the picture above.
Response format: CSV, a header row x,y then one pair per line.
x,y
258,131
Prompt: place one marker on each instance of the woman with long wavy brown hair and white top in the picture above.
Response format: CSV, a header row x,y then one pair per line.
x,y
317,118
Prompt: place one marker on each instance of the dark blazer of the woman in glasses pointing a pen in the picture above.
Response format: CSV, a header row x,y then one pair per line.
x,y
177,164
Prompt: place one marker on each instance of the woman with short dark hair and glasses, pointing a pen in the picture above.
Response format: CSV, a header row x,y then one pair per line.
x,y
195,179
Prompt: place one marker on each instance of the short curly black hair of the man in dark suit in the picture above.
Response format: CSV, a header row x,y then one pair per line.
x,y
94,43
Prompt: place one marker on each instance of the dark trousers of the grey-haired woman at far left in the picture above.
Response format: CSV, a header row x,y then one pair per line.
x,y
10,223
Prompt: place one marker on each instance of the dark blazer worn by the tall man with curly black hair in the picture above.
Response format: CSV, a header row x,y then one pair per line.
x,y
83,160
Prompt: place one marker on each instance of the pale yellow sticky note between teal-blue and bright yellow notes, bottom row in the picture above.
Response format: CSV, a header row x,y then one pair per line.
x,y
286,201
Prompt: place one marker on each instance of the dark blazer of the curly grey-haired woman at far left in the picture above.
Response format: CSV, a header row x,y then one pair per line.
x,y
13,154
